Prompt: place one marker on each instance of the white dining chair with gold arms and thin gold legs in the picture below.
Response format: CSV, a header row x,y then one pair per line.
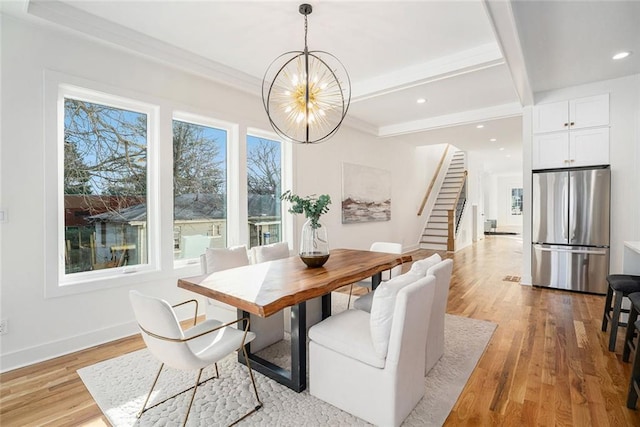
x,y
202,345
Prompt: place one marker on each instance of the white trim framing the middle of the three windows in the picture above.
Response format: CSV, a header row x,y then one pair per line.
x,y
232,165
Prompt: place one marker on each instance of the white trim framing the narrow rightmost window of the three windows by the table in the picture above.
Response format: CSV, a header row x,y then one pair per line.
x,y
286,177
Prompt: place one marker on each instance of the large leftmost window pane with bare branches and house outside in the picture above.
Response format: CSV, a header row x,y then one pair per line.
x,y
104,186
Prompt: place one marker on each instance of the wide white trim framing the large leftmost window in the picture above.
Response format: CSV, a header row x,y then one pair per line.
x,y
57,283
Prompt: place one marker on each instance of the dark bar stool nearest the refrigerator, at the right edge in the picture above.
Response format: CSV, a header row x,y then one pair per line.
x,y
620,285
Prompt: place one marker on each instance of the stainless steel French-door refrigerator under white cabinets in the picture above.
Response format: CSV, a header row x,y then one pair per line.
x,y
570,229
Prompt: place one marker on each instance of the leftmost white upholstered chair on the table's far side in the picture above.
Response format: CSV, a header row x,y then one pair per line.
x,y
268,330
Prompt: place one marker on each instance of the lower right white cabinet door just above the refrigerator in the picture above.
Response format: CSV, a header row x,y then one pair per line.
x,y
589,147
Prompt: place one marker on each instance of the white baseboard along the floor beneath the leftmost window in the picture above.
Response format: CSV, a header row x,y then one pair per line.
x,y
53,349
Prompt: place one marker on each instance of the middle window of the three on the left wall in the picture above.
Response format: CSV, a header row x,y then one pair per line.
x,y
199,186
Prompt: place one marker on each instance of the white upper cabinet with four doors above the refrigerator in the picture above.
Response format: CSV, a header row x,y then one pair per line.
x,y
571,133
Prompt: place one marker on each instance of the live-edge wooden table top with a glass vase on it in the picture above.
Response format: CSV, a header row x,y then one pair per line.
x,y
268,287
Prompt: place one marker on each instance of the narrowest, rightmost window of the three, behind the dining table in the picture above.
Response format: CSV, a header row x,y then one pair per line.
x,y
264,186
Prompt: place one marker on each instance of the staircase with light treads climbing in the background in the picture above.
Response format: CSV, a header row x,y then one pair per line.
x,y
434,235
